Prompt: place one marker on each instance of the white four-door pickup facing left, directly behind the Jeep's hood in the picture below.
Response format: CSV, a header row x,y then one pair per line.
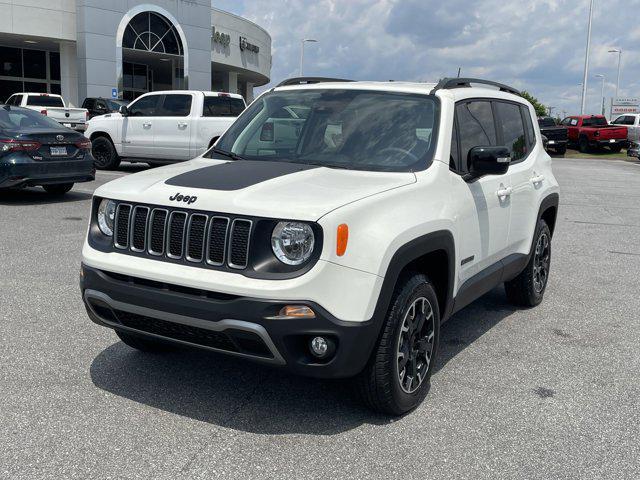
x,y
162,127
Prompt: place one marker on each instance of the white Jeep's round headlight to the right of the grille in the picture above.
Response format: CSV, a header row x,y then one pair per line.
x,y
292,242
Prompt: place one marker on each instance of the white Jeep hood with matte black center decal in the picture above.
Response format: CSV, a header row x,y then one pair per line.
x,y
254,188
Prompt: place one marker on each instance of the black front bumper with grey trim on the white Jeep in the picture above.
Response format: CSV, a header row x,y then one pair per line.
x,y
231,324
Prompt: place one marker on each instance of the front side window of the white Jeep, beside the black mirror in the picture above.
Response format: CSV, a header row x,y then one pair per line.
x,y
476,128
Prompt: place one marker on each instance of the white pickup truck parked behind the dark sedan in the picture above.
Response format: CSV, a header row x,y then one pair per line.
x,y
52,106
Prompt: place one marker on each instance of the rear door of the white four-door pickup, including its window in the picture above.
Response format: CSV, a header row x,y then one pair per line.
x,y
172,127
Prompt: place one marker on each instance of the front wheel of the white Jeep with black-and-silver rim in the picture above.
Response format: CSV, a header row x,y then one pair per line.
x,y
396,378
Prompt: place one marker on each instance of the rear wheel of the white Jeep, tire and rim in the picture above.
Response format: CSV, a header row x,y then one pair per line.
x,y
527,289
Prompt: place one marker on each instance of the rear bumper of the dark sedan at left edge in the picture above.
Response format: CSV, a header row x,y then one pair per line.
x,y
23,172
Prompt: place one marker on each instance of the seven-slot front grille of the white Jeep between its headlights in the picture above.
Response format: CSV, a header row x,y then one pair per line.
x,y
194,237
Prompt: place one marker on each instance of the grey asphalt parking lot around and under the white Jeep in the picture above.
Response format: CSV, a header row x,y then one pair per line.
x,y
548,393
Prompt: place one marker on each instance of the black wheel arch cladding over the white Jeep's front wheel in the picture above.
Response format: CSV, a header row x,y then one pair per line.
x,y
432,254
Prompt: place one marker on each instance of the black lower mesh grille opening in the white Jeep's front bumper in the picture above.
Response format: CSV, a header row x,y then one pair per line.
x,y
177,331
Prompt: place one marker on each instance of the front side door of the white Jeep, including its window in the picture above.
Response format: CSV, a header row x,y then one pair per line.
x,y
485,223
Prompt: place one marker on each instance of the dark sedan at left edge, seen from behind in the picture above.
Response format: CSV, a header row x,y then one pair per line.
x,y
36,150
